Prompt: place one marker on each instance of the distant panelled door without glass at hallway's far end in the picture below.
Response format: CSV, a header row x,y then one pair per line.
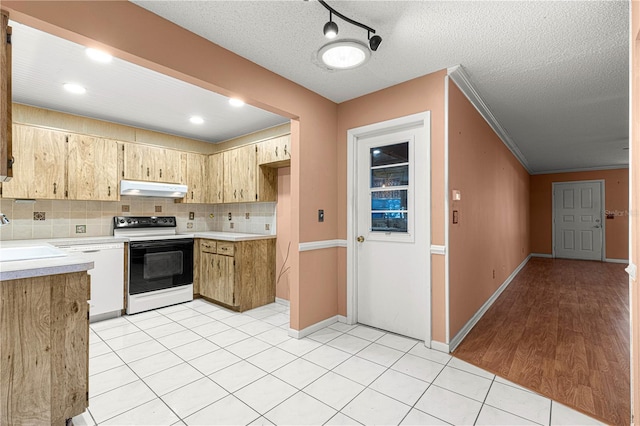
x,y
578,225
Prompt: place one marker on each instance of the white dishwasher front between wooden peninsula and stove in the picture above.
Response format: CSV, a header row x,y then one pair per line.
x,y
107,277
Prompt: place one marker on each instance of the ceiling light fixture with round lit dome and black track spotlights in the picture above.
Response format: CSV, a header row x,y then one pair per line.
x,y
345,54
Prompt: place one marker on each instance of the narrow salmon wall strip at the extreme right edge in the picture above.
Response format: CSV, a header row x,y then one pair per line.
x,y
635,206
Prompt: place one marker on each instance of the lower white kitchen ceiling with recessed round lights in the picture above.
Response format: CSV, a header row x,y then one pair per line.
x,y
122,92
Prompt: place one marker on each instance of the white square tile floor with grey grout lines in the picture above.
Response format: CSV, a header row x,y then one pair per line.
x,y
199,364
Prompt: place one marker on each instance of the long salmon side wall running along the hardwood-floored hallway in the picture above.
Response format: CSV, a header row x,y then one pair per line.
x,y
493,229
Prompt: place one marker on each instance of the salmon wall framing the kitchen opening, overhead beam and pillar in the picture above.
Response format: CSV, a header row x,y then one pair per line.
x,y
141,37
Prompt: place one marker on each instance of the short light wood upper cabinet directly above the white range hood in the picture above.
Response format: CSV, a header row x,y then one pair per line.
x,y
150,163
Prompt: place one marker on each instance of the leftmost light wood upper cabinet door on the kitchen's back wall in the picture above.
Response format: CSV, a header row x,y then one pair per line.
x,y
39,170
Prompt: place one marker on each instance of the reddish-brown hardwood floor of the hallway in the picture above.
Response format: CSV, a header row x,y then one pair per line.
x,y
561,329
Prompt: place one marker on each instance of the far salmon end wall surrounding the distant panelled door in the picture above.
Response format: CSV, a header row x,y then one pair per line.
x,y
616,194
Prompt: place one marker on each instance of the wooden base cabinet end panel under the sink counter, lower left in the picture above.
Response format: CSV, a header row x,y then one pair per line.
x,y
44,349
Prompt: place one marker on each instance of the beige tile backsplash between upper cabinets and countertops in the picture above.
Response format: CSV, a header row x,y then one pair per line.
x,y
47,219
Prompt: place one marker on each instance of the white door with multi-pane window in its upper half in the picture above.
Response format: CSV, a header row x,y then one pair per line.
x,y
392,248
